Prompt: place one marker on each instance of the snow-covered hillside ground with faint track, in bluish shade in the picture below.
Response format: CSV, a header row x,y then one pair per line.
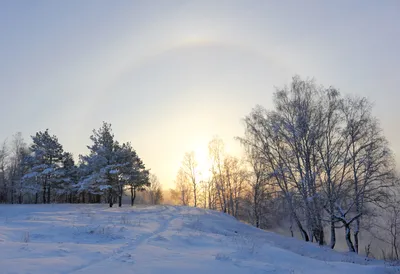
x,y
155,239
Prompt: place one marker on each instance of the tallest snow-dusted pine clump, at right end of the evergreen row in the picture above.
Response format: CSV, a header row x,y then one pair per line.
x,y
110,167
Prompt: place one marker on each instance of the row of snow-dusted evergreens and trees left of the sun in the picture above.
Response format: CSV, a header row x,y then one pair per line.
x,y
44,173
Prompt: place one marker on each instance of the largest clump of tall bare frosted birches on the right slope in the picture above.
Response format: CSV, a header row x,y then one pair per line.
x,y
325,153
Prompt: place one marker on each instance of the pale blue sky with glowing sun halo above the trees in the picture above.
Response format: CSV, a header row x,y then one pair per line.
x,y
171,75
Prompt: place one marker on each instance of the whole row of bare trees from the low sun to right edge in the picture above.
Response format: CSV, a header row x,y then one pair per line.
x,y
318,160
